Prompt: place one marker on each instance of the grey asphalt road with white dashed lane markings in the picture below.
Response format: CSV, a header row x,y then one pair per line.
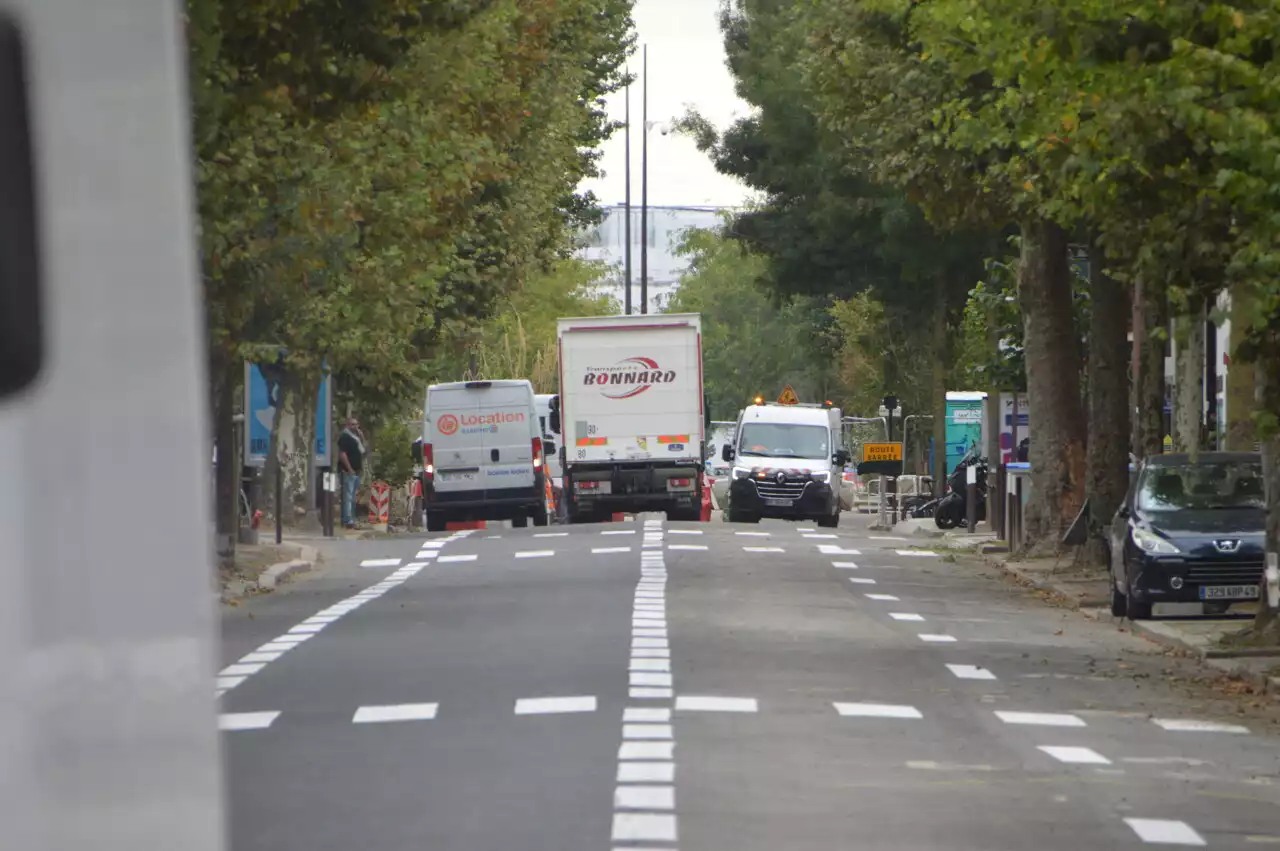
x,y
653,685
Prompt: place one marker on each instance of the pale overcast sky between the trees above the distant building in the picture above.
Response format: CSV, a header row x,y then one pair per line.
x,y
687,67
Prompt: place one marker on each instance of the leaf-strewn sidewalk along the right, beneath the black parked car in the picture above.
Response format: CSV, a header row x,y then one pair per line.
x,y
1181,628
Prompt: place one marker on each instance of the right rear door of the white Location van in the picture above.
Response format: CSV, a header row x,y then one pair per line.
x,y
508,425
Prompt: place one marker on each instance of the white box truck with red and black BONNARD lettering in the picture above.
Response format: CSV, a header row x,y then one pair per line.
x,y
632,415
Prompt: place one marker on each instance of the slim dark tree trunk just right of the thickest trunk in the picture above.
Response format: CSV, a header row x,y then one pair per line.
x,y
1108,452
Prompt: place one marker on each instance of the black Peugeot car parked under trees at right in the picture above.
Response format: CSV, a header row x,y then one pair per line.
x,y
1190,533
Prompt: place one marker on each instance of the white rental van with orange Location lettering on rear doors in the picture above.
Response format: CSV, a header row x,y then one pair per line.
x,y
483,455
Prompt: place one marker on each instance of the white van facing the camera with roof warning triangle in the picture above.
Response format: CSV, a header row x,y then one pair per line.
x,y
788,460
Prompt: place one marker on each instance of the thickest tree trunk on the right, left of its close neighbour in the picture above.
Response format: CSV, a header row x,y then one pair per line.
x,y
1053,386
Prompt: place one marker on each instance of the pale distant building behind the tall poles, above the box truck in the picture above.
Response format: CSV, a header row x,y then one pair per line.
x,y
607,244
